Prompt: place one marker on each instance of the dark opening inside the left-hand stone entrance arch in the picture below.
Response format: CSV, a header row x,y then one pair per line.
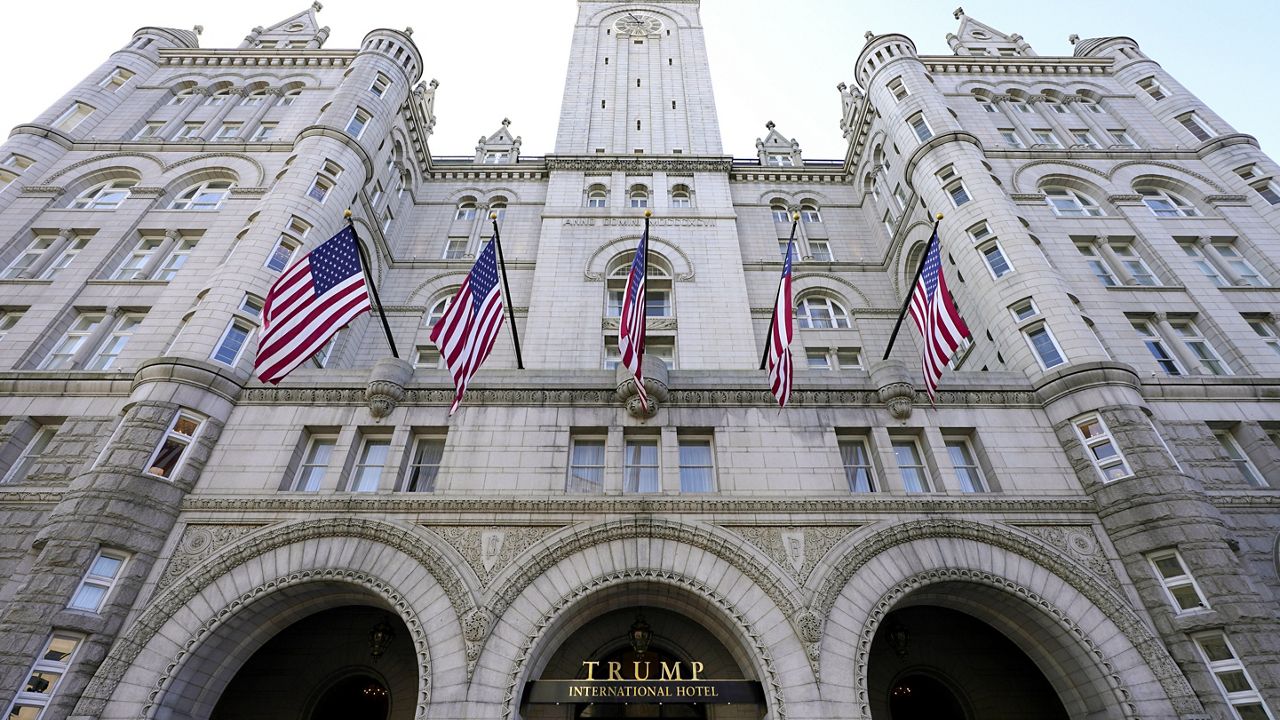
x,y
339,664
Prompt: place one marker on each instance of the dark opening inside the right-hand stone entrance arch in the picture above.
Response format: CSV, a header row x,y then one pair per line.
x,y
931,663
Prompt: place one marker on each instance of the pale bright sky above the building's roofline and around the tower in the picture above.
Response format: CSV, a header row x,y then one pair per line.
x,y
770,60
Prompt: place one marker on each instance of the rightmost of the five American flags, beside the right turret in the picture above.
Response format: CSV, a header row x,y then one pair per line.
x,y
936,317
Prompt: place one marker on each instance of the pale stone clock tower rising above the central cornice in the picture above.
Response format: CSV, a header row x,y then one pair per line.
x,y
638,83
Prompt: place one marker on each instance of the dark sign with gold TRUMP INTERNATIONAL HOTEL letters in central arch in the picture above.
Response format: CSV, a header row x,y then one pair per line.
x,y
648,682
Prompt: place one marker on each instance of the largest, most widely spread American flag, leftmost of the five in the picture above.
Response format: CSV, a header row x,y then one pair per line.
x,y
314,299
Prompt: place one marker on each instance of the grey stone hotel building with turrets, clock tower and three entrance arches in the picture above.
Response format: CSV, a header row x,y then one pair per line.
x,y
1086,525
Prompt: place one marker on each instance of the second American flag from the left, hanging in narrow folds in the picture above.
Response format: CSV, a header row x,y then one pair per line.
x,y
469,329
